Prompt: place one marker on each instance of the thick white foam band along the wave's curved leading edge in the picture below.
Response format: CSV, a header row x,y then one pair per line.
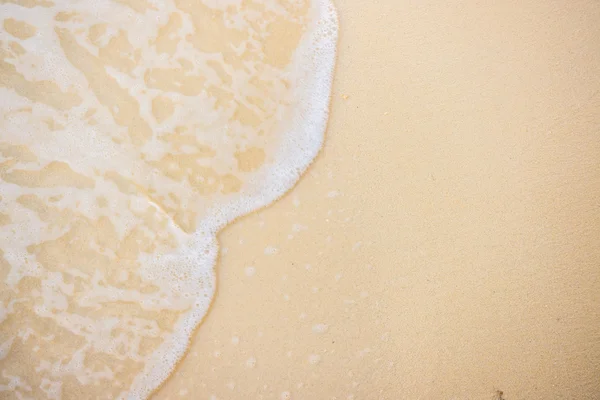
x,y
314,62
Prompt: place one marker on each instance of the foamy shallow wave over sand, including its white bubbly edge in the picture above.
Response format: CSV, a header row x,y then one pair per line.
x,y
132,131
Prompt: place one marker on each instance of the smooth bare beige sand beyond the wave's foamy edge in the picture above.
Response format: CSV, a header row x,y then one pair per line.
x,y
446,242
